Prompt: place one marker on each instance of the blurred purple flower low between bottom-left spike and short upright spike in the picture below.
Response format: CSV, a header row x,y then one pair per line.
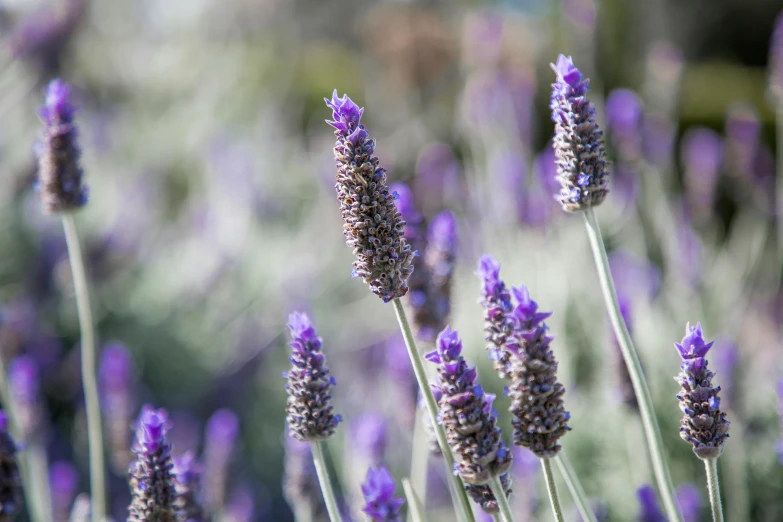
x,y
219,440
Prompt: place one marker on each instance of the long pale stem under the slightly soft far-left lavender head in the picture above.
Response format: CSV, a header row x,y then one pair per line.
x,y
89,377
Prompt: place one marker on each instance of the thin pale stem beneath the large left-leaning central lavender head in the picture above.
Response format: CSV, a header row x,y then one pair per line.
x,y
432,408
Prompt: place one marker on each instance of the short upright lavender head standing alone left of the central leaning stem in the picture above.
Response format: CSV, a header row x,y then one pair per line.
x,y
309,407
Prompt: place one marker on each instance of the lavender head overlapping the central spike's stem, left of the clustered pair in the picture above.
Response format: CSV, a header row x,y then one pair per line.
x,y
467,414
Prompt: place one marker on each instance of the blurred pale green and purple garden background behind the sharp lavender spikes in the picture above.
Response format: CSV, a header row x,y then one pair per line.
x,y
213,215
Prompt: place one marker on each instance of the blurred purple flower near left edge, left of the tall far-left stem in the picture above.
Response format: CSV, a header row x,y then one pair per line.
x,y
25,386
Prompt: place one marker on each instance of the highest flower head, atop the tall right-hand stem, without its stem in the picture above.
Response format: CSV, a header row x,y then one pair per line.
x,y
578,142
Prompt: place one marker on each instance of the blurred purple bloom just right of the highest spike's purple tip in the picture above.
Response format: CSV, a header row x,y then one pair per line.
x,y
624,118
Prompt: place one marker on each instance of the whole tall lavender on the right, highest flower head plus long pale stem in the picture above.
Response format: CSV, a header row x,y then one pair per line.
x,y
581,167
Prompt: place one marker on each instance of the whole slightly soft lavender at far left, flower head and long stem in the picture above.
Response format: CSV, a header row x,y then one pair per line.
x,y
62,192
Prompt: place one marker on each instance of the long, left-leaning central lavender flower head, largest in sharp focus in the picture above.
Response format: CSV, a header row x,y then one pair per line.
x,y
373,226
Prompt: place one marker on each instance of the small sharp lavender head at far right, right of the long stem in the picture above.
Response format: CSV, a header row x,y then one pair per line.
x,y
704,425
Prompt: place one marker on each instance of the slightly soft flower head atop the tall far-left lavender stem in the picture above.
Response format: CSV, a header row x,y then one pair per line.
x,y
59,175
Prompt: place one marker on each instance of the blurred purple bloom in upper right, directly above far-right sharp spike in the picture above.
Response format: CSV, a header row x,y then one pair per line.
x,y
702,156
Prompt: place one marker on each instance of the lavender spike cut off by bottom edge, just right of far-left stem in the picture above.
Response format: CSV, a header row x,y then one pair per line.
x,y
151,478
